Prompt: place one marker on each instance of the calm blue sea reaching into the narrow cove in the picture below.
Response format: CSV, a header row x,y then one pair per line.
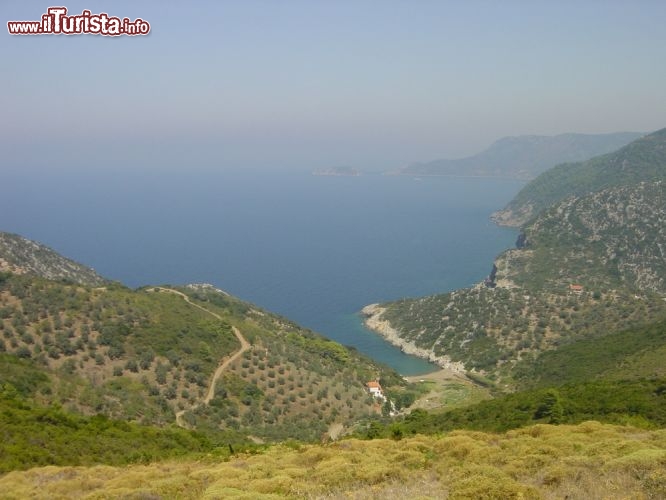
x,y
314,249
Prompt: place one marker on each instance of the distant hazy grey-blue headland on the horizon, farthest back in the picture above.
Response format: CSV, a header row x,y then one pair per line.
x,y
525,157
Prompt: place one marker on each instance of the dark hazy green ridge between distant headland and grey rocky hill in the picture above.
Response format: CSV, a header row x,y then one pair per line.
x,y
642,160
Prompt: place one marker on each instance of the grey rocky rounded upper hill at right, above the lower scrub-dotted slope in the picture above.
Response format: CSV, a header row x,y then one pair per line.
x,y
611,239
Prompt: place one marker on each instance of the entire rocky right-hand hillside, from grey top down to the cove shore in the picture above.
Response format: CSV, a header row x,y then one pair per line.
x,y
609,244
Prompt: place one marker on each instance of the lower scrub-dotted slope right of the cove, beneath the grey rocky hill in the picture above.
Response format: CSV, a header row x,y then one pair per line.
x,y
489,330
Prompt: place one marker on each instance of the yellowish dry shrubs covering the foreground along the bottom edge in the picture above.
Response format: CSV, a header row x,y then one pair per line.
x,y
591,461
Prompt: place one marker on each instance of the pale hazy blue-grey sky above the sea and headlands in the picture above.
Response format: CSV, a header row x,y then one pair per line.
x,y
305,84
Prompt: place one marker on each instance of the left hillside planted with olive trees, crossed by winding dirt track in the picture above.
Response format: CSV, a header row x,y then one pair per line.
x,y
148,355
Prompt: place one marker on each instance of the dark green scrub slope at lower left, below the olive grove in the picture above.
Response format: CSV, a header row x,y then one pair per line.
x,y
35,436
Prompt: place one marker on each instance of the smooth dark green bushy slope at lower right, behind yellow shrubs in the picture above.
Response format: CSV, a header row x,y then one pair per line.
x,y
617,378
